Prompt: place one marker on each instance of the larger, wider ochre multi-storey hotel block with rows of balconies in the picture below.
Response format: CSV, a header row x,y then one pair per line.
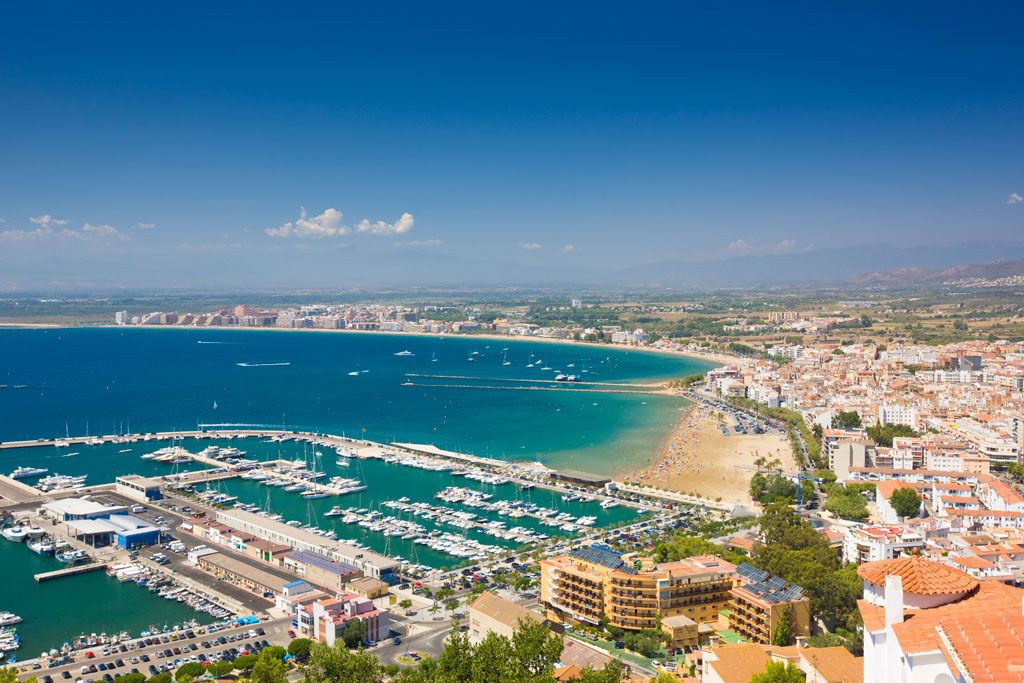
x,y
591,584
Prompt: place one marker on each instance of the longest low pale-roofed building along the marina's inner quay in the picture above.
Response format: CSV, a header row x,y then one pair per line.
x,y
371,564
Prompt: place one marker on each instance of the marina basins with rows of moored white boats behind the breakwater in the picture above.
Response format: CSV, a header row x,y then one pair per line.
x,y
428,508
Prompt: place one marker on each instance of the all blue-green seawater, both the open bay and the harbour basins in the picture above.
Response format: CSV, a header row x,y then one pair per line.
x,y
101,381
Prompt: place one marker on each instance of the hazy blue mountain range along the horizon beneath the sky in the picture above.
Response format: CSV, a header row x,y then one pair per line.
x,y
885,267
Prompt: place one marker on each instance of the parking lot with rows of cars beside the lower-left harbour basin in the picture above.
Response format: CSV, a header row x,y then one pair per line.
x,y
164,653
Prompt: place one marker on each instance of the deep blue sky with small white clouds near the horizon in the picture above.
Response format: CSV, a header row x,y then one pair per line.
x,y
200,143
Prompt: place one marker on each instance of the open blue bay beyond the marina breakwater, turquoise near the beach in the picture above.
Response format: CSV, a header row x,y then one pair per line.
x,y
102,381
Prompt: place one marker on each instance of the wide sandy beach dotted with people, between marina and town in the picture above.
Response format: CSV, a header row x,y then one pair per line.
x,y
697,458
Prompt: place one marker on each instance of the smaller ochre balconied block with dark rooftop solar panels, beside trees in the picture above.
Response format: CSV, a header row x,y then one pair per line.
x,y
761,603
